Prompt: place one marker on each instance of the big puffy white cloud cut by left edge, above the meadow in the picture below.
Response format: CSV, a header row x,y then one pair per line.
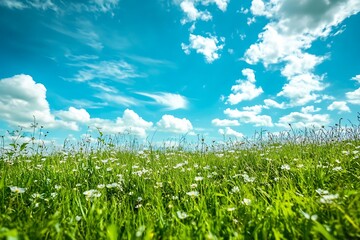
x,y
22,98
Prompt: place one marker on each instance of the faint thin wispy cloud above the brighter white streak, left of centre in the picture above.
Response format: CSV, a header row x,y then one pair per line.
x,y
109,70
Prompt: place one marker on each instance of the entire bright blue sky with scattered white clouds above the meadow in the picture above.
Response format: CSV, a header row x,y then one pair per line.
x,y
199,67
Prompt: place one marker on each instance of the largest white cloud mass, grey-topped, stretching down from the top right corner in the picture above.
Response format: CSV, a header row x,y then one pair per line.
x,y
293,27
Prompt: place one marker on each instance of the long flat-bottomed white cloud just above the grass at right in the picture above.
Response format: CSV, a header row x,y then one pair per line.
x,y
302,120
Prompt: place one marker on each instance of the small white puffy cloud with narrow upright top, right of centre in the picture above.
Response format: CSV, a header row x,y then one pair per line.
x,y
244,89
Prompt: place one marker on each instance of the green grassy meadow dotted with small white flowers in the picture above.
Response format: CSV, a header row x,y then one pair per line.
x,y
294,185
